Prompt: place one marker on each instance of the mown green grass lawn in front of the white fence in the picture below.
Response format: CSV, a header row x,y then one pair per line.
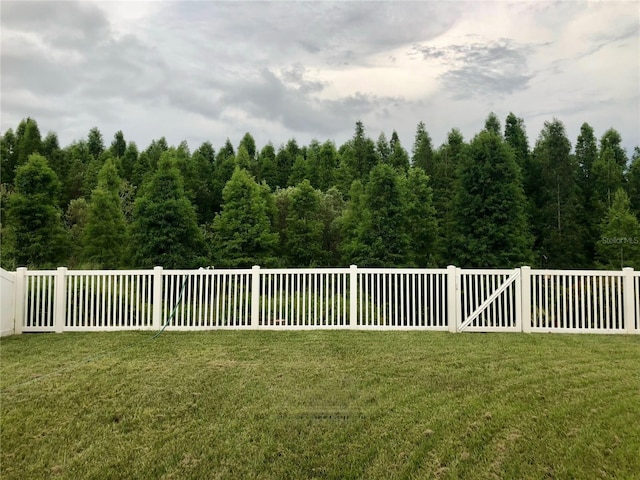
x,y
319,404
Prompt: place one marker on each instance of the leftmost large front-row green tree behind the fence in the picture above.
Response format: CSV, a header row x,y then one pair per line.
x,y
34,217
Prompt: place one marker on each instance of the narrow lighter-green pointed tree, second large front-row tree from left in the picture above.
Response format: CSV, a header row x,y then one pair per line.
x,y
104,234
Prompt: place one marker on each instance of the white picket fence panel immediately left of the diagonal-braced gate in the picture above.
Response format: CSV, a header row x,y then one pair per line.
x,y
402,299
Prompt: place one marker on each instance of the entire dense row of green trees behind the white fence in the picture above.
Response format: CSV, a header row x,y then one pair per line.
x,y
493,201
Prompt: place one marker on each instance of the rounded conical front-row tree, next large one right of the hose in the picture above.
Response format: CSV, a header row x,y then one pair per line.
x,y
242,233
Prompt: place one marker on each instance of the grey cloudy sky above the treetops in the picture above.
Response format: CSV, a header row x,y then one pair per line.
x,y
204,70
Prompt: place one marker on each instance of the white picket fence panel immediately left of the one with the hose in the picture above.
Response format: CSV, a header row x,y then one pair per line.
x,y
109,300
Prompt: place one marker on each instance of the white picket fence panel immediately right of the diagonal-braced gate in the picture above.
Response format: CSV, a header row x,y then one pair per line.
x,y
577,301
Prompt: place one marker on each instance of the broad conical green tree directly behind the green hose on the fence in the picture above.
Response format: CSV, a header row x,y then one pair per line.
x,y
164,230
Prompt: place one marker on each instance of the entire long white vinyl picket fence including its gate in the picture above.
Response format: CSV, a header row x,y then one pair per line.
x,y
451,299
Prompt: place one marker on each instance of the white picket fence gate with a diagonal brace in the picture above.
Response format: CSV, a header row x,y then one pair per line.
x,y
489,301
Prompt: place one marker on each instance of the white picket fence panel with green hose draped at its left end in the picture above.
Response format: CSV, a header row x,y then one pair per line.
x,y
205,299
